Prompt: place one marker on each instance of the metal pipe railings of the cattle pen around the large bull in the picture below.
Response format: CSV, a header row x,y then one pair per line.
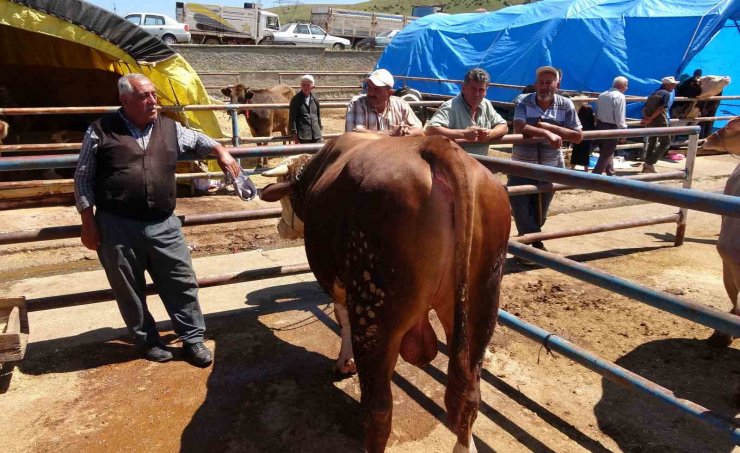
x,y
635,186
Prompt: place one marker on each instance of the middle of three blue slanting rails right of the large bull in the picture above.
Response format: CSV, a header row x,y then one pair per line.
x,y
710,317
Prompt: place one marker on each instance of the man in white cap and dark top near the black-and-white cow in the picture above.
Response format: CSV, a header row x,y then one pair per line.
x,y
655,114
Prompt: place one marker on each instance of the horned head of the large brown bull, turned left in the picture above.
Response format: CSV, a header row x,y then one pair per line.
x,y
286,190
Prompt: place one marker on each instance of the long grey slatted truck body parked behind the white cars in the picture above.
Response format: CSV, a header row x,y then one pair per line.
x,y
356,25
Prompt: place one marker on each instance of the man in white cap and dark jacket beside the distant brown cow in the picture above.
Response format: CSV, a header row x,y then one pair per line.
x,y
304,117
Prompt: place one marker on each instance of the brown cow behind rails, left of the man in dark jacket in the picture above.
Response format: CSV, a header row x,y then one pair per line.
x,y
263,122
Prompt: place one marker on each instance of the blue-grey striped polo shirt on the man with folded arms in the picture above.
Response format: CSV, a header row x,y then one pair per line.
x,y
561,112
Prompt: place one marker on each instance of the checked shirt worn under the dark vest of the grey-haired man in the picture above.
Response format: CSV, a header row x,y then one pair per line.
x,y
187,139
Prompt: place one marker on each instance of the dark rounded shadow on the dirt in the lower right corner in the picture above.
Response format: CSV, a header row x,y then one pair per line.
x,y
692,370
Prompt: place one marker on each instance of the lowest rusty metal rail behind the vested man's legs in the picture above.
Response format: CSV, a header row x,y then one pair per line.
x,y
103,295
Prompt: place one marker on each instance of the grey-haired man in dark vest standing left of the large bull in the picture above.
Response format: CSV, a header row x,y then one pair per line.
x,y
127,170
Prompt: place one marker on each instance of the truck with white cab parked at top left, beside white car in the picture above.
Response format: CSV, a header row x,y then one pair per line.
x,y
214,24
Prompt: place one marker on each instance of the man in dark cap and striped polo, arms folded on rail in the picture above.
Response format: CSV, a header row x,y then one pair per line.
x,y
553,117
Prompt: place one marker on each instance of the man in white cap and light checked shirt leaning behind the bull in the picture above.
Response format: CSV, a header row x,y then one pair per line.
x,y
379,111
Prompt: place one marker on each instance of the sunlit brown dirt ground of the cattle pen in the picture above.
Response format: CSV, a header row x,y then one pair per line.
x,y
270,387
